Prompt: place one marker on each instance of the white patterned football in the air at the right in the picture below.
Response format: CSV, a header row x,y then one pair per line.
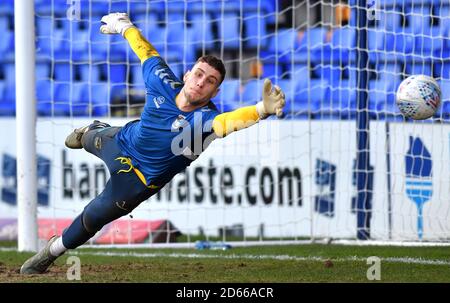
x,y
418,97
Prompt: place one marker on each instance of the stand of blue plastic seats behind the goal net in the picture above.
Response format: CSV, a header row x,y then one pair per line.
x,y
72,58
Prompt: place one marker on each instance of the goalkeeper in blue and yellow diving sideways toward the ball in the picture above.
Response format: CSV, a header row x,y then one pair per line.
x,y
176,124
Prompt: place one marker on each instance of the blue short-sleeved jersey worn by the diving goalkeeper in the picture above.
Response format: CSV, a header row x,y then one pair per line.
x,y
165,140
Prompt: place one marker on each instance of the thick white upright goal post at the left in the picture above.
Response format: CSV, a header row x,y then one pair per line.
x,y
25,125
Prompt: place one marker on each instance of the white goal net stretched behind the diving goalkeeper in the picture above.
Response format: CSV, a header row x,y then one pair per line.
x,y
342,163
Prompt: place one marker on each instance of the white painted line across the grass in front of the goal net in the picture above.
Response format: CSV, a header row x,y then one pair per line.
x,y
406,260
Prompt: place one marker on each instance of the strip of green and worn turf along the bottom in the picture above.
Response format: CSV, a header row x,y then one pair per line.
x,y
290,263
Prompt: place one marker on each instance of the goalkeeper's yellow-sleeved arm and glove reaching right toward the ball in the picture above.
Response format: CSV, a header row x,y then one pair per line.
x,y
272,103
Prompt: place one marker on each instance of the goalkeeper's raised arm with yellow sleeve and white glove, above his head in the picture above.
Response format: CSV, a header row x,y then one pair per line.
x,y
119,23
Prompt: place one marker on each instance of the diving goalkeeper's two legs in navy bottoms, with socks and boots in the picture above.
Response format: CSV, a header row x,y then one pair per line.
x,y
123,192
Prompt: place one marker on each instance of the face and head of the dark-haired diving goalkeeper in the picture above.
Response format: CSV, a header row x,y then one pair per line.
x,y
201,84
